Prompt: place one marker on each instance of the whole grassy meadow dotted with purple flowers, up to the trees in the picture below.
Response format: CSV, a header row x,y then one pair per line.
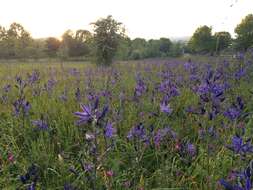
x,y
149,124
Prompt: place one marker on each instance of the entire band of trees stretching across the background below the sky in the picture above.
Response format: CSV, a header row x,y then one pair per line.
x,y
108,41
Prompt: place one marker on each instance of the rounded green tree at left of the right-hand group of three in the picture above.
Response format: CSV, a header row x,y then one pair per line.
x,y
202,40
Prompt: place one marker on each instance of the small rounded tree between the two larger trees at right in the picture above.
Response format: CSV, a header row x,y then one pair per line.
x,y
223,40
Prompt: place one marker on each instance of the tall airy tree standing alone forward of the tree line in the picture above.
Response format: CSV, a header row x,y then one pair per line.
x,y
107,33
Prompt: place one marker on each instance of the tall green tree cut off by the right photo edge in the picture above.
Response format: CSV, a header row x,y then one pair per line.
x,y
244,32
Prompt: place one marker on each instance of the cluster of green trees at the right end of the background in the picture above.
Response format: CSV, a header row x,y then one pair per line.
x,y
203,41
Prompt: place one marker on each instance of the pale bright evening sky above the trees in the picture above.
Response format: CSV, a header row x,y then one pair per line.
x,y
142,18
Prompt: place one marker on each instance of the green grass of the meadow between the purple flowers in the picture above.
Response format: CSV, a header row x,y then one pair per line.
x,y
63,145
